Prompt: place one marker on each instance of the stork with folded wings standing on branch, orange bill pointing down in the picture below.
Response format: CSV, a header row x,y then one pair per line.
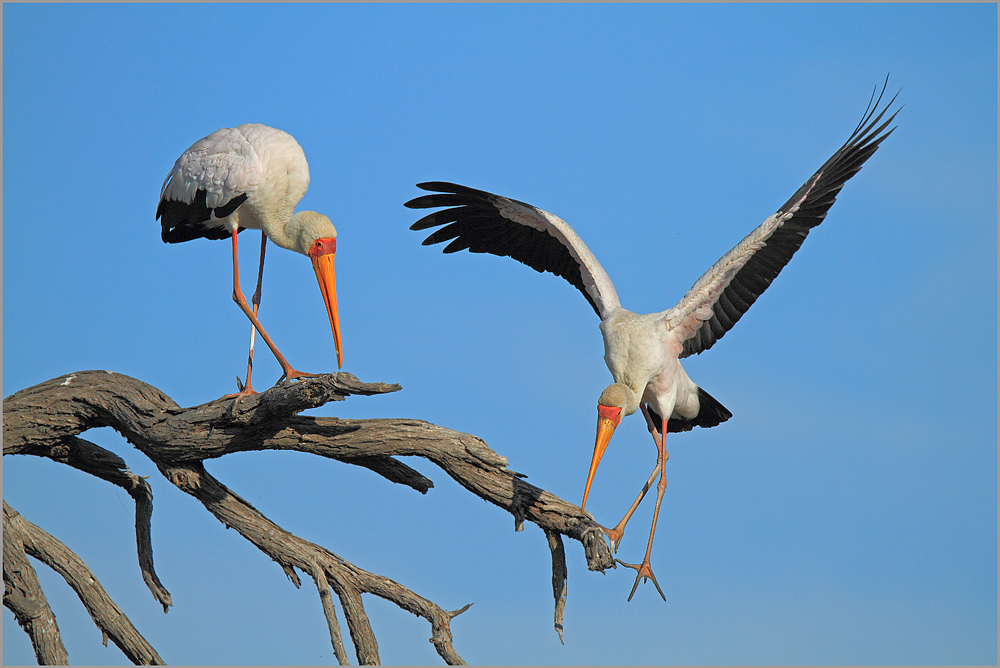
x,y
251,177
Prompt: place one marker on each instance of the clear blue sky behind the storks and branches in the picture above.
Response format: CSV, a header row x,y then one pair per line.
x,y
846,514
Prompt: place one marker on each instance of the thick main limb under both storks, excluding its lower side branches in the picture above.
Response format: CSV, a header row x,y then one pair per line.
x,y
166,433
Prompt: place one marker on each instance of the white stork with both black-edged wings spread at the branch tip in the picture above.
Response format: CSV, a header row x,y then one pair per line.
x,y
643,352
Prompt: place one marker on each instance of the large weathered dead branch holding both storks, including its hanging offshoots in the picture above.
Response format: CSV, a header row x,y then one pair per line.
x,y
45,421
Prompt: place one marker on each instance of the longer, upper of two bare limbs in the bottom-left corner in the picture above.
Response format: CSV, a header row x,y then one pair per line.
x,y
106,615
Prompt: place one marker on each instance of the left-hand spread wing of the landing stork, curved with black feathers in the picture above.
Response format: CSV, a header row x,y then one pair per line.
x,y
486,223
